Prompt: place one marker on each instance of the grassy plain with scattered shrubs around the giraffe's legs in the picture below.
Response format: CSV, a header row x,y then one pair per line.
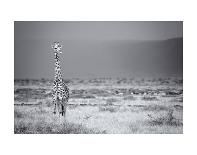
x,y
101,105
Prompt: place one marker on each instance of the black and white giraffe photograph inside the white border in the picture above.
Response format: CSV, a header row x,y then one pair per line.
x,y
98,77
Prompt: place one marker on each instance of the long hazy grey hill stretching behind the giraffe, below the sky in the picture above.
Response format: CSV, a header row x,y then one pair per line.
x,y
101,58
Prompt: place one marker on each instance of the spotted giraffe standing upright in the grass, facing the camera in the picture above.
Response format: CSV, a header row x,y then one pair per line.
x,y
60,92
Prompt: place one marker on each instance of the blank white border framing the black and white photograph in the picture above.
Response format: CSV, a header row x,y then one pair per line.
x,y
103,10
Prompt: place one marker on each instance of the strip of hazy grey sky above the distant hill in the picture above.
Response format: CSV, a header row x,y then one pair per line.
x,y
98,30
